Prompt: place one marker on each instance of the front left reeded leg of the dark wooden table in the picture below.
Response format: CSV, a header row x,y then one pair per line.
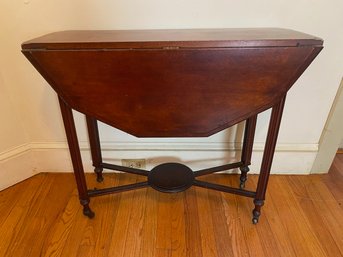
x,y
75,155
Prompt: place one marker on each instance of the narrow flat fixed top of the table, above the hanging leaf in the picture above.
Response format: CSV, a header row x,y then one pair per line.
x,y
185,38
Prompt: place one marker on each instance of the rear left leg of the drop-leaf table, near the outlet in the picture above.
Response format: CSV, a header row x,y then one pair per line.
x,y
94,141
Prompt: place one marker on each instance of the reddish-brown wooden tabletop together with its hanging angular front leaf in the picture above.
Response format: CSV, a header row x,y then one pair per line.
x,y
146,93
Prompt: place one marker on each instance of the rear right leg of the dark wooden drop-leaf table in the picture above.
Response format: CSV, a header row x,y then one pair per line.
x,y
249,133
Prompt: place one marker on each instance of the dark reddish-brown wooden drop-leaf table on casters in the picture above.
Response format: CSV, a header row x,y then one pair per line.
x,y
172,83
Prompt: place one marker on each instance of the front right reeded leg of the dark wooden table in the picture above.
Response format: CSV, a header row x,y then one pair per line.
x,y
267,159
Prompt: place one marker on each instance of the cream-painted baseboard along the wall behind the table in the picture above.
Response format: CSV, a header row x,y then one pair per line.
x,y
26,160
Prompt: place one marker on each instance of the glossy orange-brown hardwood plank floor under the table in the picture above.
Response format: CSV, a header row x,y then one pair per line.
x,y
302,216
